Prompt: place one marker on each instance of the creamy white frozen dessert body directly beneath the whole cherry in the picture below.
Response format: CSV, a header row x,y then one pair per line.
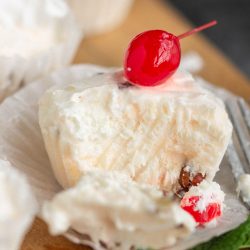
x,y
147,133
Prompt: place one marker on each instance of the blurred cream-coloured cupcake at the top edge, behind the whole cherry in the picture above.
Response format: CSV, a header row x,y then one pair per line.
x,y
97,16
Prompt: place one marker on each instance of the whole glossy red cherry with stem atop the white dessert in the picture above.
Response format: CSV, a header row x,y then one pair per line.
x,y
154,55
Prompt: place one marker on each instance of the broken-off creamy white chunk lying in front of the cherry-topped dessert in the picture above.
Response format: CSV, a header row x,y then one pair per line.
x,y
108,206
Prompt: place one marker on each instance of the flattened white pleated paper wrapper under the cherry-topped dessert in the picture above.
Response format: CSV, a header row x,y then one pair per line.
x,y
21,143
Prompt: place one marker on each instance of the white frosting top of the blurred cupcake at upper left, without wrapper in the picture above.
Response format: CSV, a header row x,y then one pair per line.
x,y
26,27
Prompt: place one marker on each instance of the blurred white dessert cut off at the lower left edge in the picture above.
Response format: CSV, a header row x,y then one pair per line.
x,y
17,209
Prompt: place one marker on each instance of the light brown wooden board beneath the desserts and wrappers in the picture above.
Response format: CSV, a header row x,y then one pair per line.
x,y
108,50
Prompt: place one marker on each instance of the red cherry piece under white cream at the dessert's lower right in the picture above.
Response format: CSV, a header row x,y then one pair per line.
x,y
212,211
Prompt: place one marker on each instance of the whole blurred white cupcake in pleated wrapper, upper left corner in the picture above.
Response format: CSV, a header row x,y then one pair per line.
x,y
36,37
